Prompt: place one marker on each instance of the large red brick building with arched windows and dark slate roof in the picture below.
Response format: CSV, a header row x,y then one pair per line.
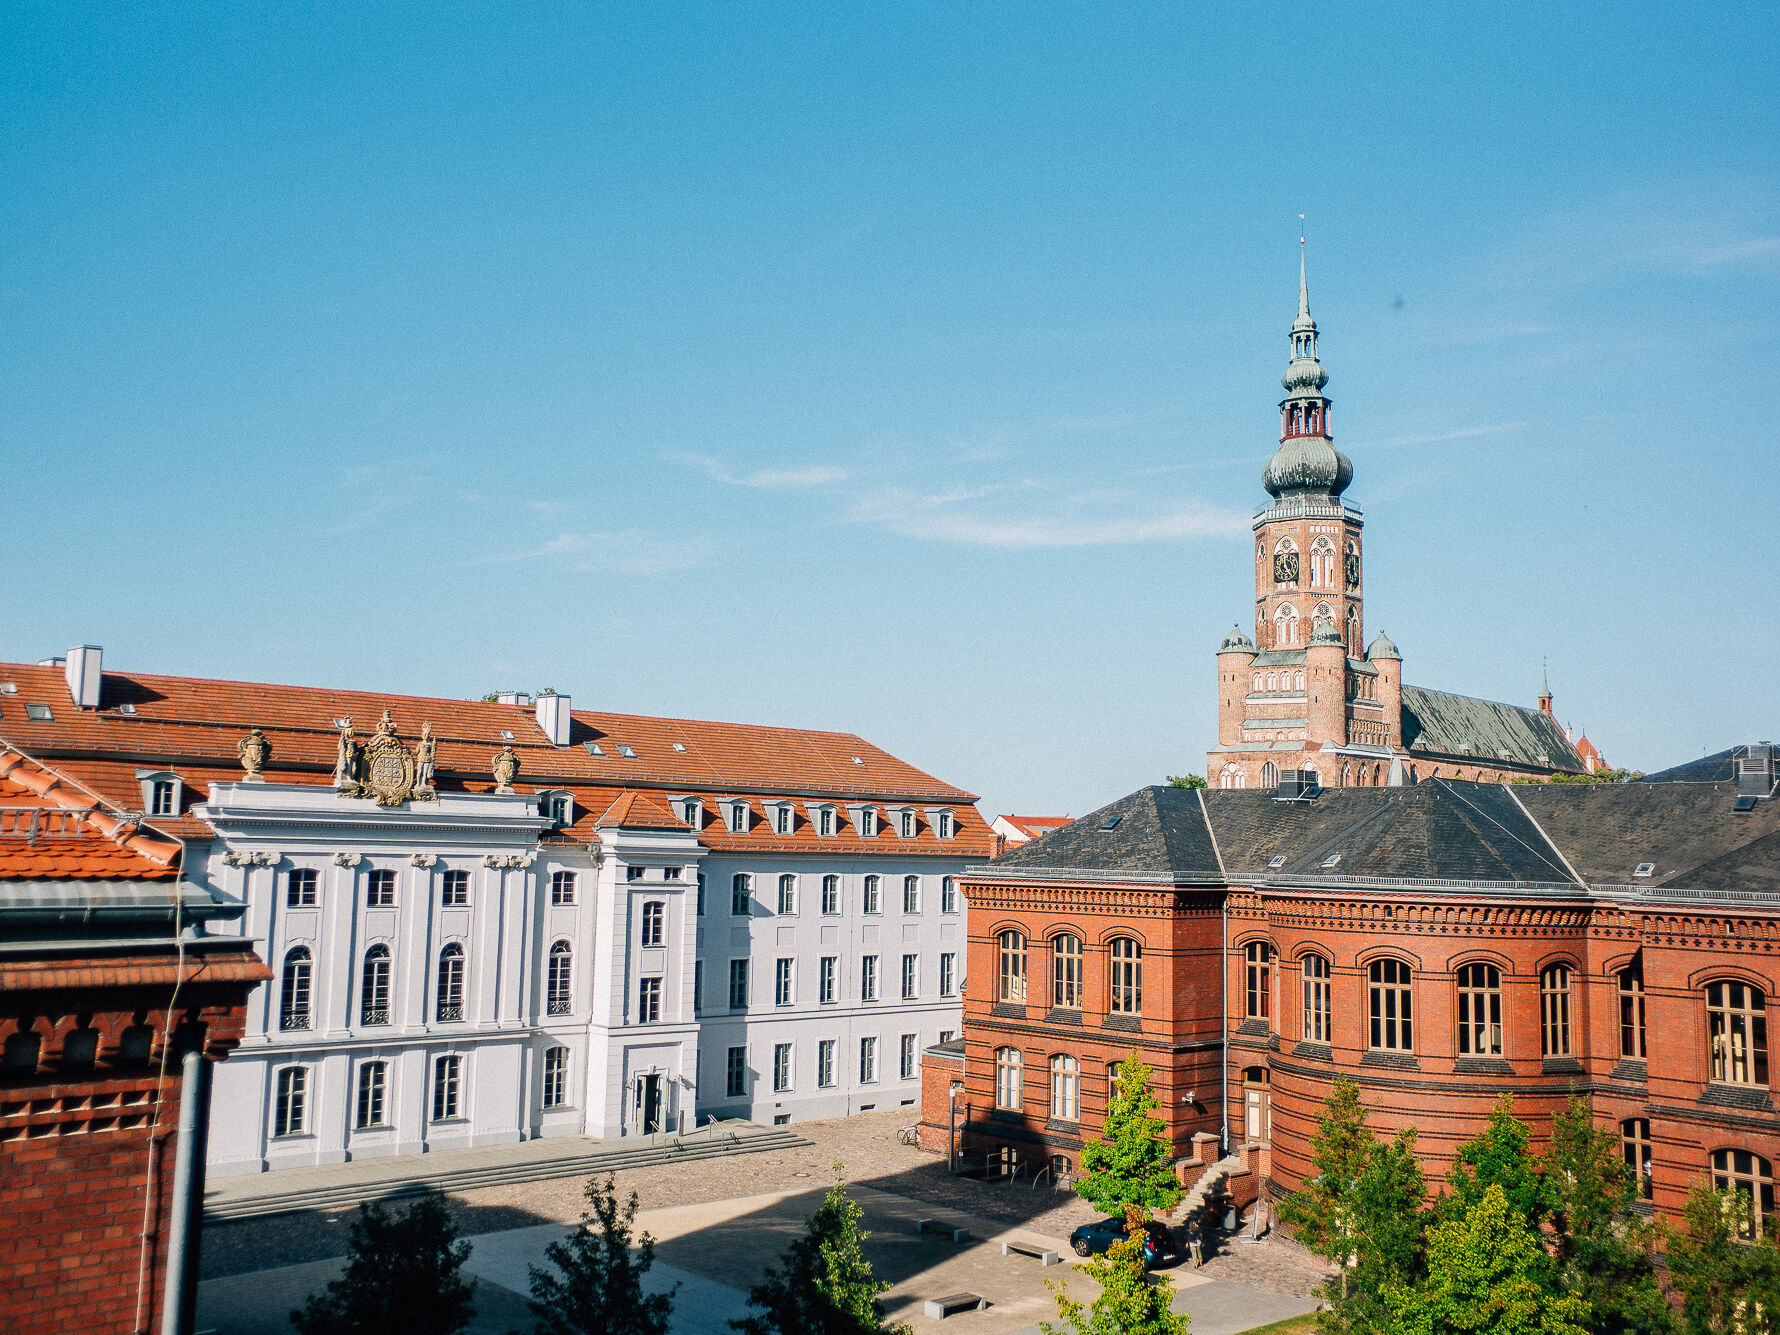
x,y
1441,944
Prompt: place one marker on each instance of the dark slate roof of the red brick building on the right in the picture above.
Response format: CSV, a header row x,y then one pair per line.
x,y
1526,836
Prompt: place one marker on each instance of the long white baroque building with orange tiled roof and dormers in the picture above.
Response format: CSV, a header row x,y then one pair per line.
x,y
494,921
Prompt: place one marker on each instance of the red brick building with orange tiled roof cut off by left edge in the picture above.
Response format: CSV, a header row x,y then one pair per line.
x,y
106,982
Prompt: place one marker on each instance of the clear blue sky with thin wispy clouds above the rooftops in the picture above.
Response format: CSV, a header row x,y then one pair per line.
x,y
898,369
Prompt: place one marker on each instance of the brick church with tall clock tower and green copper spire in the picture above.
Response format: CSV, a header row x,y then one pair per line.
x,y
1309,693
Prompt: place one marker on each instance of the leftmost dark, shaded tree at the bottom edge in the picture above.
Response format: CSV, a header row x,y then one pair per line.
x,y
401,1277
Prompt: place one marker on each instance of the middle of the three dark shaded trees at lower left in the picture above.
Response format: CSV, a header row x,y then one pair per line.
x,y
601,1286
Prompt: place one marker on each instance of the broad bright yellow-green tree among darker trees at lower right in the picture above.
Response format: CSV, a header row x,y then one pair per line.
x,y
1485,1277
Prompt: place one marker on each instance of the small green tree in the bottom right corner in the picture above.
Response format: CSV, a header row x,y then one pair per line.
x,y
1727,1286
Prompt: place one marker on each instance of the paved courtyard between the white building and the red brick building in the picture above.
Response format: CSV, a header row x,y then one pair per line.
x,y
720,1224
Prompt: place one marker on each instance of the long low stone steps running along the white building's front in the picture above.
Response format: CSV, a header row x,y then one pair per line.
x,y
464,1170
